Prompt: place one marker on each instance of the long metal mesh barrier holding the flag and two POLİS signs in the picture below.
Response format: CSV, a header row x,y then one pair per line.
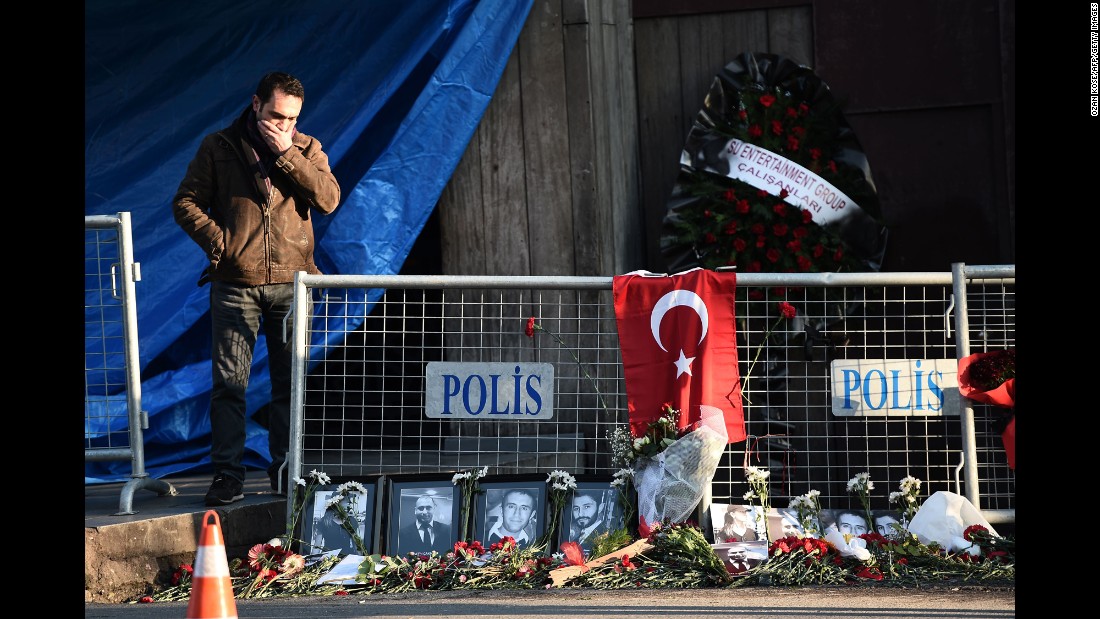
x,y
361,411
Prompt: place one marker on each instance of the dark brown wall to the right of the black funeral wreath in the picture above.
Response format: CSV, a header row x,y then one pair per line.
x,y
910,73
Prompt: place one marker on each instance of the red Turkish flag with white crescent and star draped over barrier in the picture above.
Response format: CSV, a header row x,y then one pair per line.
x,y
679,342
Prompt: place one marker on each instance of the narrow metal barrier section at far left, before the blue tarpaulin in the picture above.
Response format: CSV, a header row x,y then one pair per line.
x,y
114,419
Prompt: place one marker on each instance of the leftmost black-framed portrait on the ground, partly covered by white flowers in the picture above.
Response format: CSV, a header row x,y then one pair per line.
x,y
337,511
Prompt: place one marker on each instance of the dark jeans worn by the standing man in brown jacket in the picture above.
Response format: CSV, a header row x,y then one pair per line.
x,y
238,313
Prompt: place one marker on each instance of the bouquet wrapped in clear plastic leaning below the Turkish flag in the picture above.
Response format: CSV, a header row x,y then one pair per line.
x,y
672,483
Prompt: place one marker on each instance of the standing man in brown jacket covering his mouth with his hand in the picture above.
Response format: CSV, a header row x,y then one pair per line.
x,y
247,202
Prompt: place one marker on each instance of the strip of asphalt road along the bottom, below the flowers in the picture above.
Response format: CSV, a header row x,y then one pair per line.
x,y
863,603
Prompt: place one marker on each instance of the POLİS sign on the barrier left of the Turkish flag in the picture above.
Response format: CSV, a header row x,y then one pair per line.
x,y
489,391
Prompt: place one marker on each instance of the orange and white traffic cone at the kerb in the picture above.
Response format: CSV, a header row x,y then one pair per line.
x,y
212,588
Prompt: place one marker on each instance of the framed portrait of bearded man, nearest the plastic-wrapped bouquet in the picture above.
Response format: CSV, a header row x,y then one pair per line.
x,y
591,511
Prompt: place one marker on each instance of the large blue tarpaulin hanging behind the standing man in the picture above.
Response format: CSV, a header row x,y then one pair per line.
x,y
394,92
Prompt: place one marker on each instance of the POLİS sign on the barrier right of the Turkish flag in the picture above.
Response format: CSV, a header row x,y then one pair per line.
x,y
890,388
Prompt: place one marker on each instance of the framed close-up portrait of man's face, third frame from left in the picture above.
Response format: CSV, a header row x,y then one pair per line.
x,y
514,507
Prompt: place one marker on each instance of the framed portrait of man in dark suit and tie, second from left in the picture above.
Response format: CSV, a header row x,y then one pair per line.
x,y
424,515
